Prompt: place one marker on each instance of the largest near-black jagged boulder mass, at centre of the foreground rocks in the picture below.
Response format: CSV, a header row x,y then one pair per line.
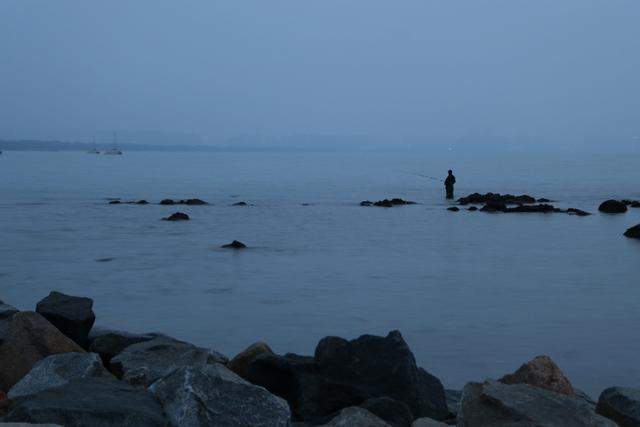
x,y
347,373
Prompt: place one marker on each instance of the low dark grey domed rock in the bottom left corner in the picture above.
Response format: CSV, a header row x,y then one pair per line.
x,y
90,402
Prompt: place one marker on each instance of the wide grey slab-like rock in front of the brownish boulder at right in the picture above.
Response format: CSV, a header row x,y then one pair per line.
x,y
494,404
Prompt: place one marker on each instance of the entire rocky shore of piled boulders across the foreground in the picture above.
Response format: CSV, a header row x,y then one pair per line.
x,y
56,368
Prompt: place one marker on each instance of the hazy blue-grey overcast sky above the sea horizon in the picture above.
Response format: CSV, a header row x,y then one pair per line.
x,y
418,70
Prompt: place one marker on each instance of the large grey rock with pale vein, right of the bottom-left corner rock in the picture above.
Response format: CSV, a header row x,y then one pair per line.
x,y
212,395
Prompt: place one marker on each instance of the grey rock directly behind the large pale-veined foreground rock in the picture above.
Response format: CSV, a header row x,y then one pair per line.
x,y
145,362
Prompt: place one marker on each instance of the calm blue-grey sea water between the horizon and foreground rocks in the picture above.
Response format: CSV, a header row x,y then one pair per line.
x,y
474,294
